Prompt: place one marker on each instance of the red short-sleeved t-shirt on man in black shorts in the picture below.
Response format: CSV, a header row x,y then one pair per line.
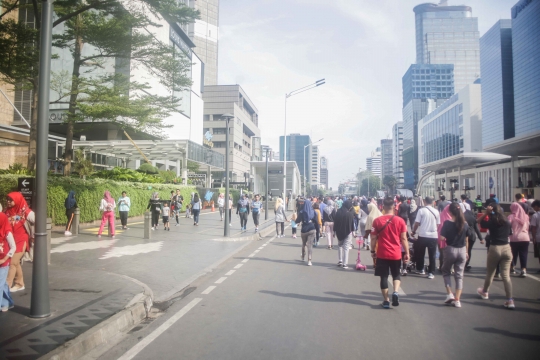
x,y
389,240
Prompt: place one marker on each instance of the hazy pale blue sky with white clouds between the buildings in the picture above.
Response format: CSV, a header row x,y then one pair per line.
x,y
361,47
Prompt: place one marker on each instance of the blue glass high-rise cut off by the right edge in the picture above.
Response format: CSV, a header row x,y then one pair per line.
x,y
526,55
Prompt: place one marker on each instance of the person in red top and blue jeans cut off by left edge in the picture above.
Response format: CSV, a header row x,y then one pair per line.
x,y
7,250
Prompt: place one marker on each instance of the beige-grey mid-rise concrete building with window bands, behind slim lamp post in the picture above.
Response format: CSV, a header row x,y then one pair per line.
x,y
223,99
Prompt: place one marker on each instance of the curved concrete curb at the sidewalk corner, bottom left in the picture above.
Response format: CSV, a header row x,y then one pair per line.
x,y
136,311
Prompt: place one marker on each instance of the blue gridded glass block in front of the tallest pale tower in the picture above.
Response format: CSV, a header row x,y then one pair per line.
x,y
428,81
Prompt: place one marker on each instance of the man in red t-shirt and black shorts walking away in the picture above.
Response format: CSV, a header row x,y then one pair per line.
x,y
388,235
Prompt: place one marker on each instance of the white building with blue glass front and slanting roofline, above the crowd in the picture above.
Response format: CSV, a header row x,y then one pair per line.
x,y
453,128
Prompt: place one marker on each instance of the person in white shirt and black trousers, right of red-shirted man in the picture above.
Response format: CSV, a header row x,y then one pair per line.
x,y
426,223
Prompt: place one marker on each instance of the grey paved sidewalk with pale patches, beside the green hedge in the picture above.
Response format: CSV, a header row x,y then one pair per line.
x,y
91,279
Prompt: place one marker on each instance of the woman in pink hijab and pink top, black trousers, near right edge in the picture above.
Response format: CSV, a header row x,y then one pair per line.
x,y
519,240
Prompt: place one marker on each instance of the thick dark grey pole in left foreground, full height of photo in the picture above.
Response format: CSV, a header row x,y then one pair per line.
x,y
39,303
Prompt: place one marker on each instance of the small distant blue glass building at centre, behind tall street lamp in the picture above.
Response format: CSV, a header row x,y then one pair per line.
x,y
299,150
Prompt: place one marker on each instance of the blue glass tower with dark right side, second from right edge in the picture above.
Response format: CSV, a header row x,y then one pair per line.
x,y
497,83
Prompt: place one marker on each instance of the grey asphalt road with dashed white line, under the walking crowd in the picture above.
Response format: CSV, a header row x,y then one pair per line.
x,y
264,303
